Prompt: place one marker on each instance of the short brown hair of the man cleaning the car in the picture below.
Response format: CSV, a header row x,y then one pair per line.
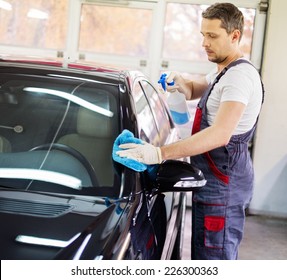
x,y
230,16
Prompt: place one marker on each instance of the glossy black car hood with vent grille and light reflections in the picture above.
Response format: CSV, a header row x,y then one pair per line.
x,y
51,226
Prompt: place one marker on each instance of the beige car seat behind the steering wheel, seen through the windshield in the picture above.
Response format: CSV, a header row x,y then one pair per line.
x,y
94,140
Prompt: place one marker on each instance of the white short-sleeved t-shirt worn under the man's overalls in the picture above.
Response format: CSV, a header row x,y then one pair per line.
x,y
240,83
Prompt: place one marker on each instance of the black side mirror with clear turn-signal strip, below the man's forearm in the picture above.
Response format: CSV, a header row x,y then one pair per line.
x,y
174,175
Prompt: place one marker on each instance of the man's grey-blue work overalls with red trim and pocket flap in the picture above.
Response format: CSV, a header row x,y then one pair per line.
x,y
218,209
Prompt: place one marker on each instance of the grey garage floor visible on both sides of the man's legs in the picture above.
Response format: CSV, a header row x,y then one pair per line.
x,y
265,238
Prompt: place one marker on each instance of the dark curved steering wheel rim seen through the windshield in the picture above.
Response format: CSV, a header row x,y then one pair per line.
x,y
76,154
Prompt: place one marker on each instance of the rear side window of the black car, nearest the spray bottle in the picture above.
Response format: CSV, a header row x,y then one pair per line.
x,y
159,111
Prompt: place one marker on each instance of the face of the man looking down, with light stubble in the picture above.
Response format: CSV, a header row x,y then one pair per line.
x,y
216,42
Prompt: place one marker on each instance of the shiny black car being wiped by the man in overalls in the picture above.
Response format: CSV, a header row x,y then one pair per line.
x,y
61,194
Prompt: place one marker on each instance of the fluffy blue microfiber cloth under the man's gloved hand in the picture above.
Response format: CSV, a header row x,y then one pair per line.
x,y
128,137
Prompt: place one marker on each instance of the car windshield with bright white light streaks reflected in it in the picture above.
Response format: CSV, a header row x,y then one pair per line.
x,y
57,131
